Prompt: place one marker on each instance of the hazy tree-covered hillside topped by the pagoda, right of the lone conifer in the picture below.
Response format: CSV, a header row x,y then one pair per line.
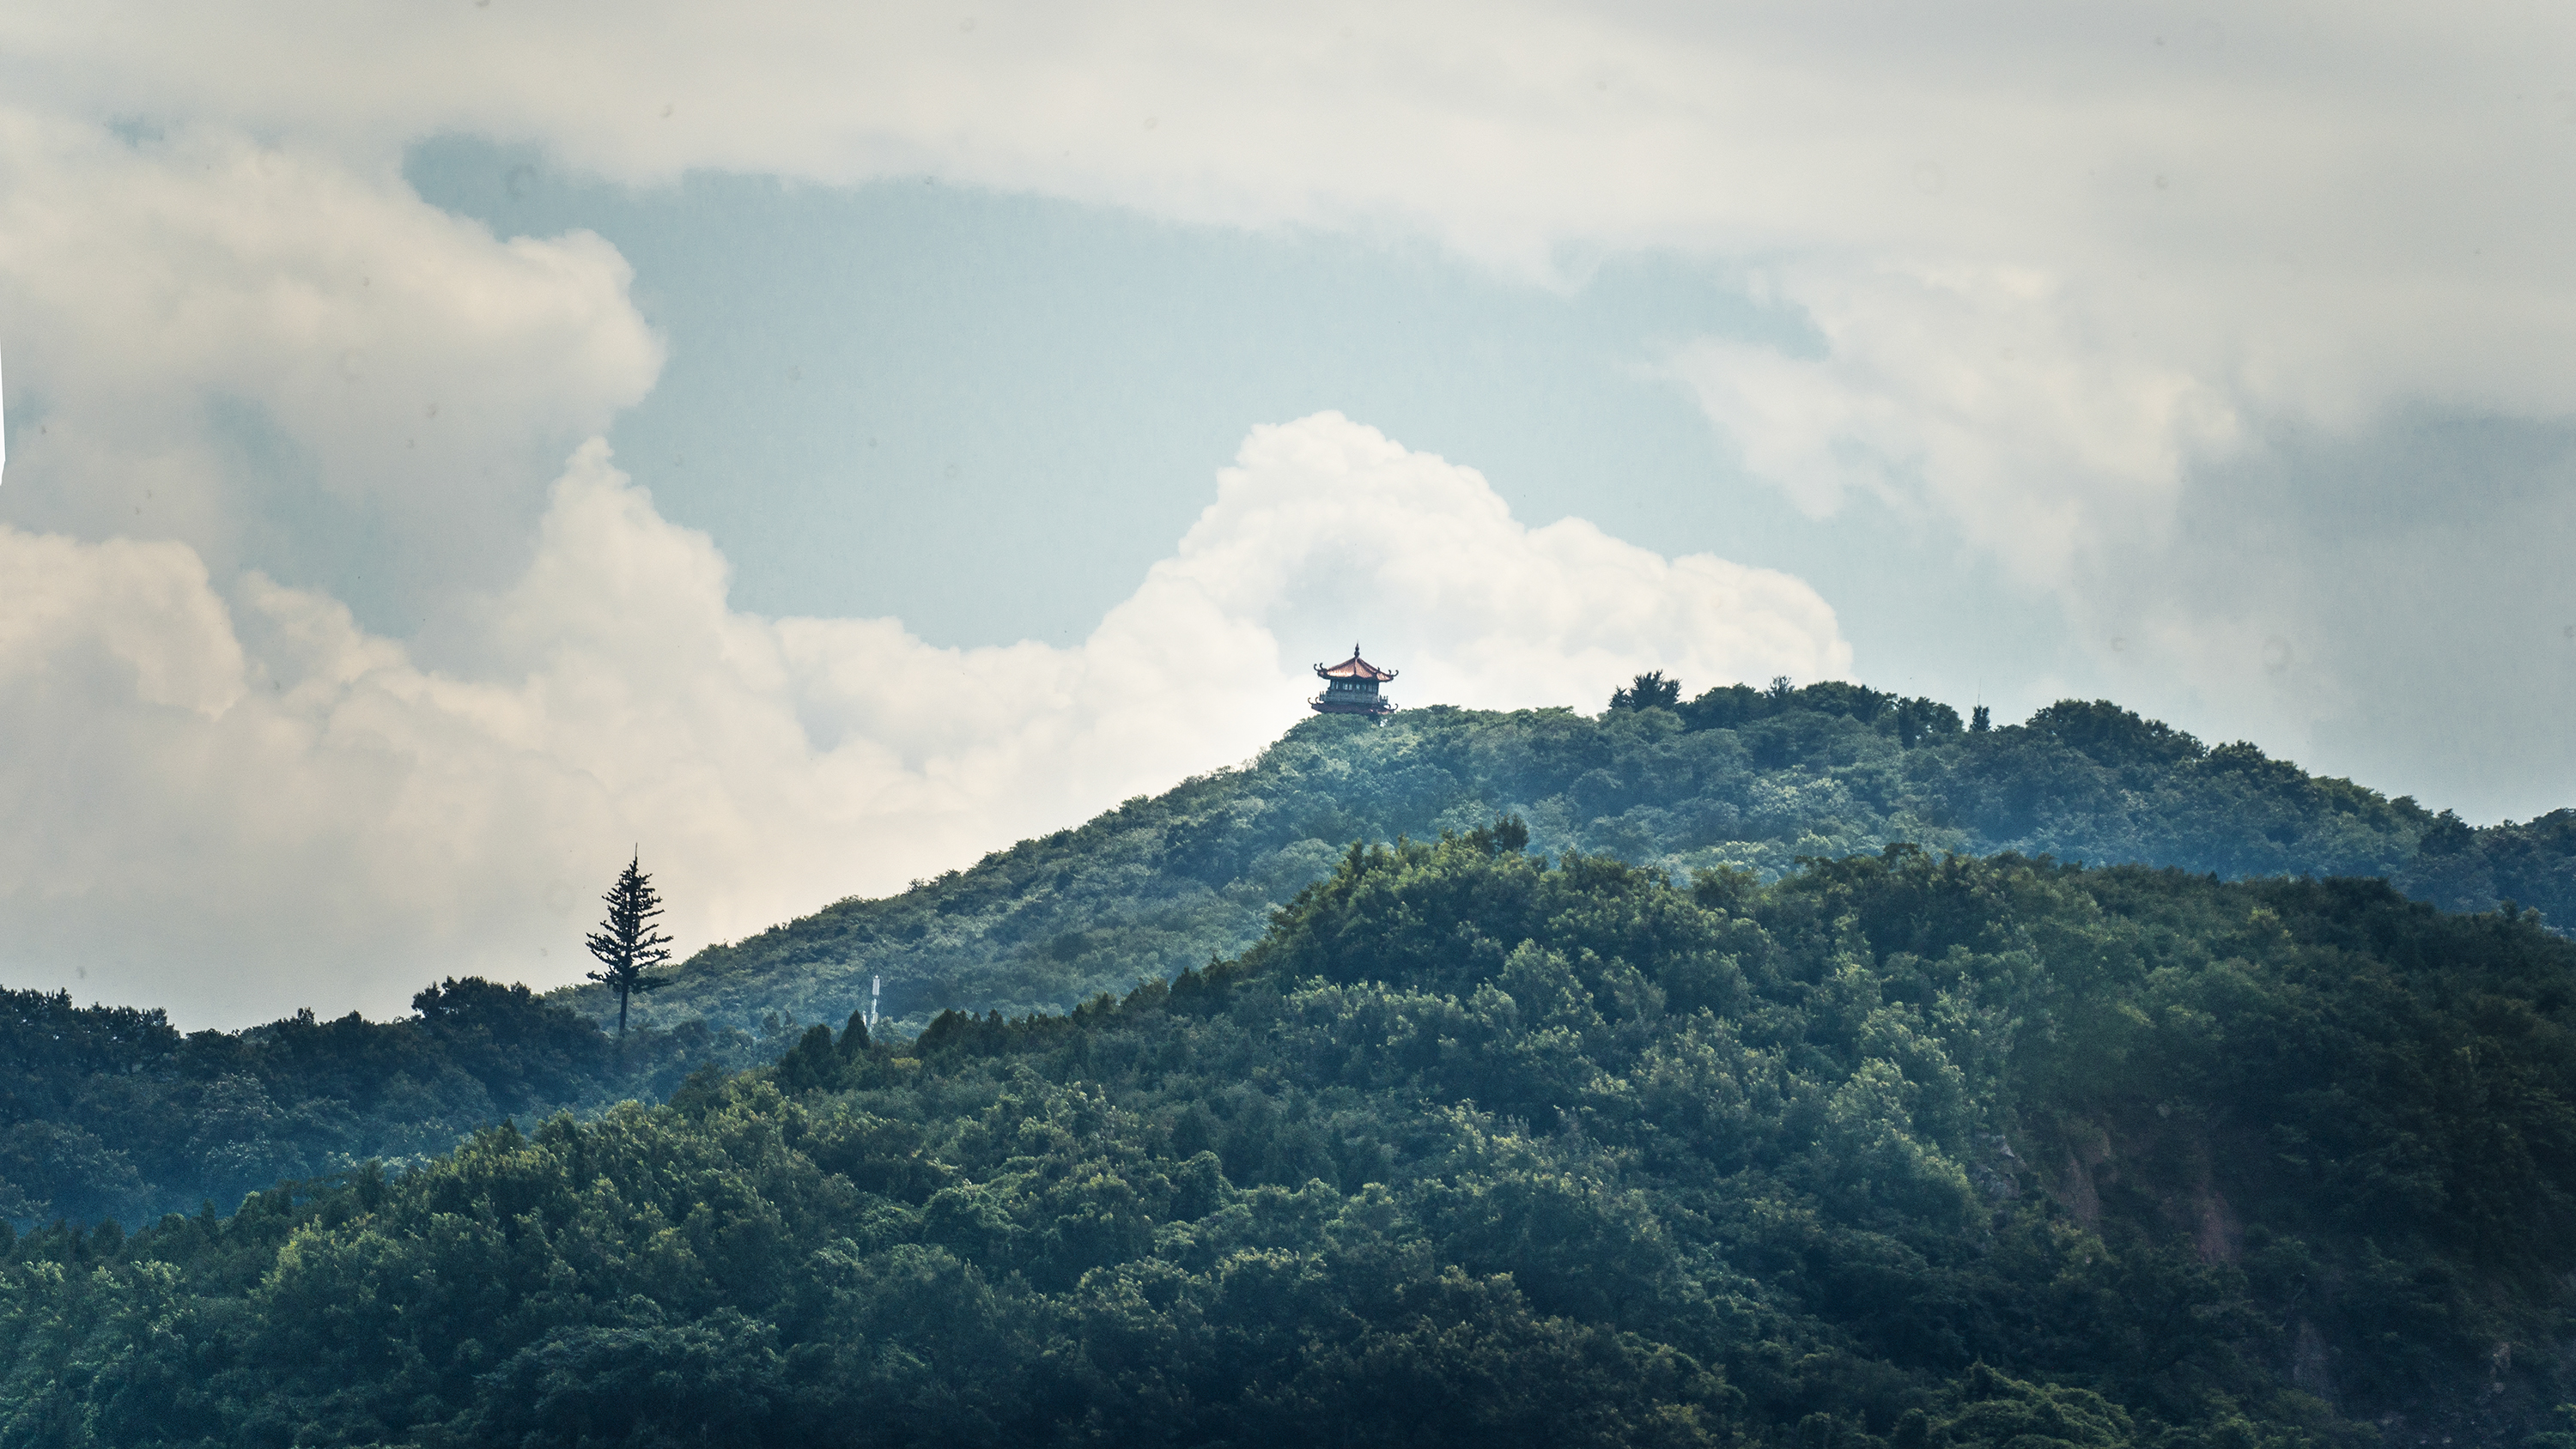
x,y
1740,779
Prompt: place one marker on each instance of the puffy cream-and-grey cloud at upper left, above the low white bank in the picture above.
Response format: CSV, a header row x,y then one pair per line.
x,y
277,356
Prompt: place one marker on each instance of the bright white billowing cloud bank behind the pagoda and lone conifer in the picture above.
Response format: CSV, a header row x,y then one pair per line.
x,y
254,804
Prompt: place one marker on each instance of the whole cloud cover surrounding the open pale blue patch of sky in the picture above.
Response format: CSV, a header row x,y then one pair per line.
x,y
2232,333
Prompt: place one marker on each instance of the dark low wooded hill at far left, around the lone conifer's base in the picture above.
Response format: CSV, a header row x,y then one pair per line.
x,y
112,1113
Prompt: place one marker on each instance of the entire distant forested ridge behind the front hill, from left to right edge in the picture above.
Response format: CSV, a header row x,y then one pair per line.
x,y
109,1113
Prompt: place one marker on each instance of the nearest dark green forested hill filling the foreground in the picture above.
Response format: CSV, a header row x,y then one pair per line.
x,y
1480,1149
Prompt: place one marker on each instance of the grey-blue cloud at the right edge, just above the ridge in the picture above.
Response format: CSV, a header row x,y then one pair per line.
x,y
2384,606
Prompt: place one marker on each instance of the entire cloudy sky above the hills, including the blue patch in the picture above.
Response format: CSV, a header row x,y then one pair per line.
x,y
457,447
